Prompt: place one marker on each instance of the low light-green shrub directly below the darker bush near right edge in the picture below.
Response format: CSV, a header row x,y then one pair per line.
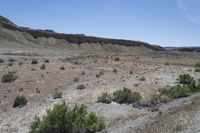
x,y
179,91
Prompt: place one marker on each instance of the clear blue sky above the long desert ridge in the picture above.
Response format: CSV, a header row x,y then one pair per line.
x,y
159,22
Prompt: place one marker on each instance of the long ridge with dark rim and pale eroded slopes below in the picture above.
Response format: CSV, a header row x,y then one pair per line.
x,y
49,37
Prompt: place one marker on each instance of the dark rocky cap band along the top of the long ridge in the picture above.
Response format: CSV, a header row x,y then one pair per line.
x,y
73,38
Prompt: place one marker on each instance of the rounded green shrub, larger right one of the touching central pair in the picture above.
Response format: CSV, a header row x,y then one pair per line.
x,y
126,96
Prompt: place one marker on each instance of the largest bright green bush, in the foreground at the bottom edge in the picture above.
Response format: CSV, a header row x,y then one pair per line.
x,y
65,119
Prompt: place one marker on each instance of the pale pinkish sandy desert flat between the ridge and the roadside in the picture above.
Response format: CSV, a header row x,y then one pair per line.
x,y
38,85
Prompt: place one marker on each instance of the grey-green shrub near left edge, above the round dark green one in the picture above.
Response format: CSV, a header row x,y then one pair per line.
x,y
9,77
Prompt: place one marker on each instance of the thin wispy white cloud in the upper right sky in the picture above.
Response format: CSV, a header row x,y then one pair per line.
x,y
188,13
